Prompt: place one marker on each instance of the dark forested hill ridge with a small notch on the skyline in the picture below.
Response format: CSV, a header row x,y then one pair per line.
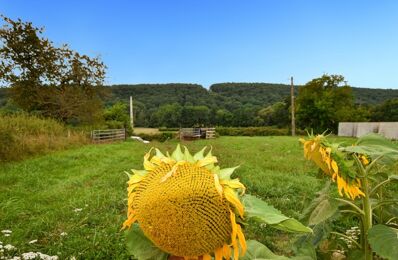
x,y
228,95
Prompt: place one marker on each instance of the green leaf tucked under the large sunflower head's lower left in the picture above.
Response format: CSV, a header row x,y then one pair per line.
x,y
141,247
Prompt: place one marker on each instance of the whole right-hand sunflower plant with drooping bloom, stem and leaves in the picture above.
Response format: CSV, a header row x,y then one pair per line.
x,y
363,170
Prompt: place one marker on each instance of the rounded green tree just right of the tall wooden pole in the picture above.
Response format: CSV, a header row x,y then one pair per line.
x,y
322,103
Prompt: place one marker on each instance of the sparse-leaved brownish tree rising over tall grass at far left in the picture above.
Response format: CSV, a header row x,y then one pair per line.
x,y
55,82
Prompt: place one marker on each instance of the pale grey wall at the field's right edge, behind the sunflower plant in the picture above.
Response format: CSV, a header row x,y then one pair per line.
x,y
358,129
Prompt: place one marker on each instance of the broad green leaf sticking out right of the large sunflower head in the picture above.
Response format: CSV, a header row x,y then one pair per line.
x,y
259,210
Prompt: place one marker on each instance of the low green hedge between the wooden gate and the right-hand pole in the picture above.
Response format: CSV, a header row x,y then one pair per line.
x,y
251,131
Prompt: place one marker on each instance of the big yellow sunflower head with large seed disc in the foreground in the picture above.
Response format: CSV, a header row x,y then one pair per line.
x,y
187,206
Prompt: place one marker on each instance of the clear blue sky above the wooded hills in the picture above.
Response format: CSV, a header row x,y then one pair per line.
x,y
210,41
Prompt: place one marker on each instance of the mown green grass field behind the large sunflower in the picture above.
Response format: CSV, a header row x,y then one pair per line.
x,y
74,202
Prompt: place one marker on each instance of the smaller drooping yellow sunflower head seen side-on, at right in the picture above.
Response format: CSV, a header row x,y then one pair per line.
x,y
327,158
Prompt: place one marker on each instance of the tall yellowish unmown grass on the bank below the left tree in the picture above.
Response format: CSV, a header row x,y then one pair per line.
x,y
24,135
